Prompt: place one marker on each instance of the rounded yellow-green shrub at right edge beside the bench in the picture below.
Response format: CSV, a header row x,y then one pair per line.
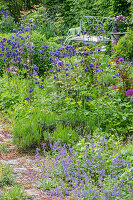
x,y
124,46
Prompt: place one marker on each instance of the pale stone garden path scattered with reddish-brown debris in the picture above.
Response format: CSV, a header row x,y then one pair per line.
x,y
24,167
